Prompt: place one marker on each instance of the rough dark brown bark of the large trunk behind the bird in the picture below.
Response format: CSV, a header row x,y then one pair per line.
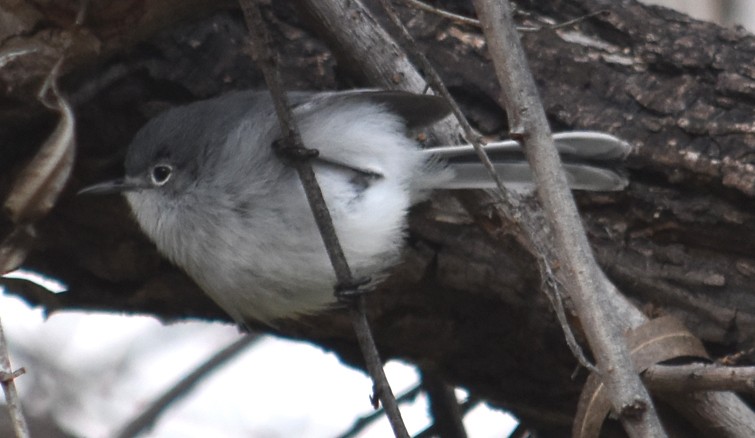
x,y
465,303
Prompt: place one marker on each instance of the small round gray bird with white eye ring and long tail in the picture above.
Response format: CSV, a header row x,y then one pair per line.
x,y
206,186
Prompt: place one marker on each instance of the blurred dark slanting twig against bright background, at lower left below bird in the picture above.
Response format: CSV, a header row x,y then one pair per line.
x,y
147,418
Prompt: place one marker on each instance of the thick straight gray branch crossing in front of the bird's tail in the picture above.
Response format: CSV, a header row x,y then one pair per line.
x,y
528,123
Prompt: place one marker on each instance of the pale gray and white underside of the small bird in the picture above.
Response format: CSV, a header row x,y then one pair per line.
x,y
272,263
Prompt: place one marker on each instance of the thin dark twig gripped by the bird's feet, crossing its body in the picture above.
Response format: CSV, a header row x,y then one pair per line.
x,y
293,144
